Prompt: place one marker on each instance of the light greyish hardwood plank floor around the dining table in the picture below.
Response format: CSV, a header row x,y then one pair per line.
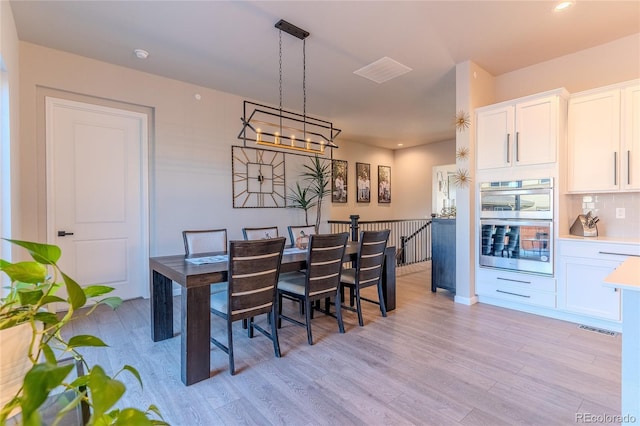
x,y
430,362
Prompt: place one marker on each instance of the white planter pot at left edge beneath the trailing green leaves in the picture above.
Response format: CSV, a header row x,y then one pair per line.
x,y
14,360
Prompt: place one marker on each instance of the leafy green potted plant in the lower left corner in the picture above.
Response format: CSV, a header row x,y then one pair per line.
x,y
33,290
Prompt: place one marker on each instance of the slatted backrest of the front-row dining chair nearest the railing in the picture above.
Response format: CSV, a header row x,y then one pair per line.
x,y
371,256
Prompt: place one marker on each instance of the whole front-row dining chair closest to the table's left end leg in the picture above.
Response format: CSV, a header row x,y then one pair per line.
x,y
254,267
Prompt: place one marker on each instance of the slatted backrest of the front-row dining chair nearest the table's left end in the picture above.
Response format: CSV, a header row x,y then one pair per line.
x,y
254,267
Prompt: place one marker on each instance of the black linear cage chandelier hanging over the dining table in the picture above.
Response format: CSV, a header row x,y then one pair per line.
x,y
279,128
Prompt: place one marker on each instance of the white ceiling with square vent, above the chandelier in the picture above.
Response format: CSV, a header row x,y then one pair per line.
x,y
233,46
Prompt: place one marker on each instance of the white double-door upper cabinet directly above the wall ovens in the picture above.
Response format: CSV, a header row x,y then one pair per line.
x,y
519,133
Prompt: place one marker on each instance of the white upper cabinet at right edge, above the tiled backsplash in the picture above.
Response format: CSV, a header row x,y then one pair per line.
x,y
604,140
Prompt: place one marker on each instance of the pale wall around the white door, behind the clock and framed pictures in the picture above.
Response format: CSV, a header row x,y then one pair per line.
x,y
190,152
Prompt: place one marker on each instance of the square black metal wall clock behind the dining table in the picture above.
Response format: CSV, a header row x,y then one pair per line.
x,y
258,178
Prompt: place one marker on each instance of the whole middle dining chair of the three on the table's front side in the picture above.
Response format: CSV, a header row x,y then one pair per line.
x,y
321,279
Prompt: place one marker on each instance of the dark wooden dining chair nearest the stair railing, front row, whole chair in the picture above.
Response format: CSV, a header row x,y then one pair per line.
x,y
368,270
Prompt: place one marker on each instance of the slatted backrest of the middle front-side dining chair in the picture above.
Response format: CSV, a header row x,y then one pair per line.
x,y
324,262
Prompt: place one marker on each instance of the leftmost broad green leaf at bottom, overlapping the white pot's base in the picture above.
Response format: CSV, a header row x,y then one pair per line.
x,y
39,381
